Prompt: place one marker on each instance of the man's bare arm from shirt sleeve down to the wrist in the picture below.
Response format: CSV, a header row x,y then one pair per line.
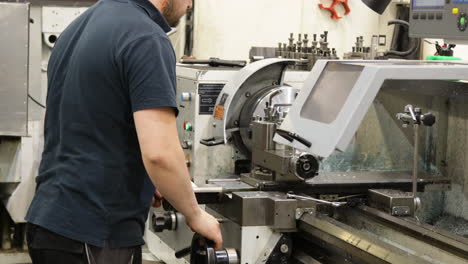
x,y
164,159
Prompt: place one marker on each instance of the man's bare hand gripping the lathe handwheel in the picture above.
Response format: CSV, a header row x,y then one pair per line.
x,y
207,226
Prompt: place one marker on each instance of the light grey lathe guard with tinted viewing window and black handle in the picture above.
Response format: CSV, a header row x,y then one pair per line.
x,y
337,95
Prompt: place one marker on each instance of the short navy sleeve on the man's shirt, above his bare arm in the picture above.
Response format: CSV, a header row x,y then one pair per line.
x,y
148,66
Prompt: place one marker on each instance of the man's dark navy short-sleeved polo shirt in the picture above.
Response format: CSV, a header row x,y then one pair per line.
x,y
112,61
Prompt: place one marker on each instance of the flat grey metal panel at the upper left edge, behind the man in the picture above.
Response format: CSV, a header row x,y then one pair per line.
x,y
14,32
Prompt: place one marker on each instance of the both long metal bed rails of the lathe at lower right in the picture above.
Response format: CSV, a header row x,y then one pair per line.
x,y
366,235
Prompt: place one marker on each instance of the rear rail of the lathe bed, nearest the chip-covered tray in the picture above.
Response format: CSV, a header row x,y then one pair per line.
x,y
426,242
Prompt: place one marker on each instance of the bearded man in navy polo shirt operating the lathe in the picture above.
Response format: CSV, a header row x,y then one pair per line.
x,y
110,137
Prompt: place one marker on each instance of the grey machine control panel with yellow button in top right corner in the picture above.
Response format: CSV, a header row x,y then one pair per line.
x,y
447,19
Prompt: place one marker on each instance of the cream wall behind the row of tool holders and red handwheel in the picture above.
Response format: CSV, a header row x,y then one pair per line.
x,y
227,29
